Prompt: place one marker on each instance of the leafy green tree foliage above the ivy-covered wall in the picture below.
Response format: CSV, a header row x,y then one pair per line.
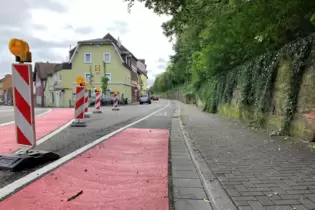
x,y
214,36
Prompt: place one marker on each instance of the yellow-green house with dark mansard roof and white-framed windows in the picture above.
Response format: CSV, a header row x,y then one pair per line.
x,y
94,59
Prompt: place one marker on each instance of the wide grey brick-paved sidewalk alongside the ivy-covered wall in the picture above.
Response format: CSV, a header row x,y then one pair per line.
x,y
257,171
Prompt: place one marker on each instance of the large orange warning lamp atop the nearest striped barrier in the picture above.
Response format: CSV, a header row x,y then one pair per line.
x,y
21,50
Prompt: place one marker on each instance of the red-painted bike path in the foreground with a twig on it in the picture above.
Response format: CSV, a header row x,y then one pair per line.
x,y
125,172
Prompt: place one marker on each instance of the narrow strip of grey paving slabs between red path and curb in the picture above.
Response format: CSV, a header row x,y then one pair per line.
x,y
188,192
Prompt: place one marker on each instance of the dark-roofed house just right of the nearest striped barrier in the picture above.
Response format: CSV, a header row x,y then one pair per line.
x,y
41,72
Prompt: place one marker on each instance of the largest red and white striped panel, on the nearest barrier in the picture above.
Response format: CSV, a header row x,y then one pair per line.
x,y
23,104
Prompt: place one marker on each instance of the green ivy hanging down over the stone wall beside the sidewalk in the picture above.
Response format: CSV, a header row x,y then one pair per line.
x,y
257,78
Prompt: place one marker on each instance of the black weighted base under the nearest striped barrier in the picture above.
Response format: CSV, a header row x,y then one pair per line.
x,y
26,160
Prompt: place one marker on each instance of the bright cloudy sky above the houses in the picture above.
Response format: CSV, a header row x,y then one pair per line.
x,y
51,26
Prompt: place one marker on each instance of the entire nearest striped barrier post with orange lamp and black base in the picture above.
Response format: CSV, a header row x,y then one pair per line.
x,y
23,99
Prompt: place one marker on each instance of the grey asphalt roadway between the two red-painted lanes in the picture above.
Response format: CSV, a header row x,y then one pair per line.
x,y
72,138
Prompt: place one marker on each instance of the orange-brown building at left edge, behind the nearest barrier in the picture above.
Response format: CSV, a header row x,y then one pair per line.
x,y
6,92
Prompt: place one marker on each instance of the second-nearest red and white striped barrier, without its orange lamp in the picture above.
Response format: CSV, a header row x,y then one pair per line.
x,y
79,108
